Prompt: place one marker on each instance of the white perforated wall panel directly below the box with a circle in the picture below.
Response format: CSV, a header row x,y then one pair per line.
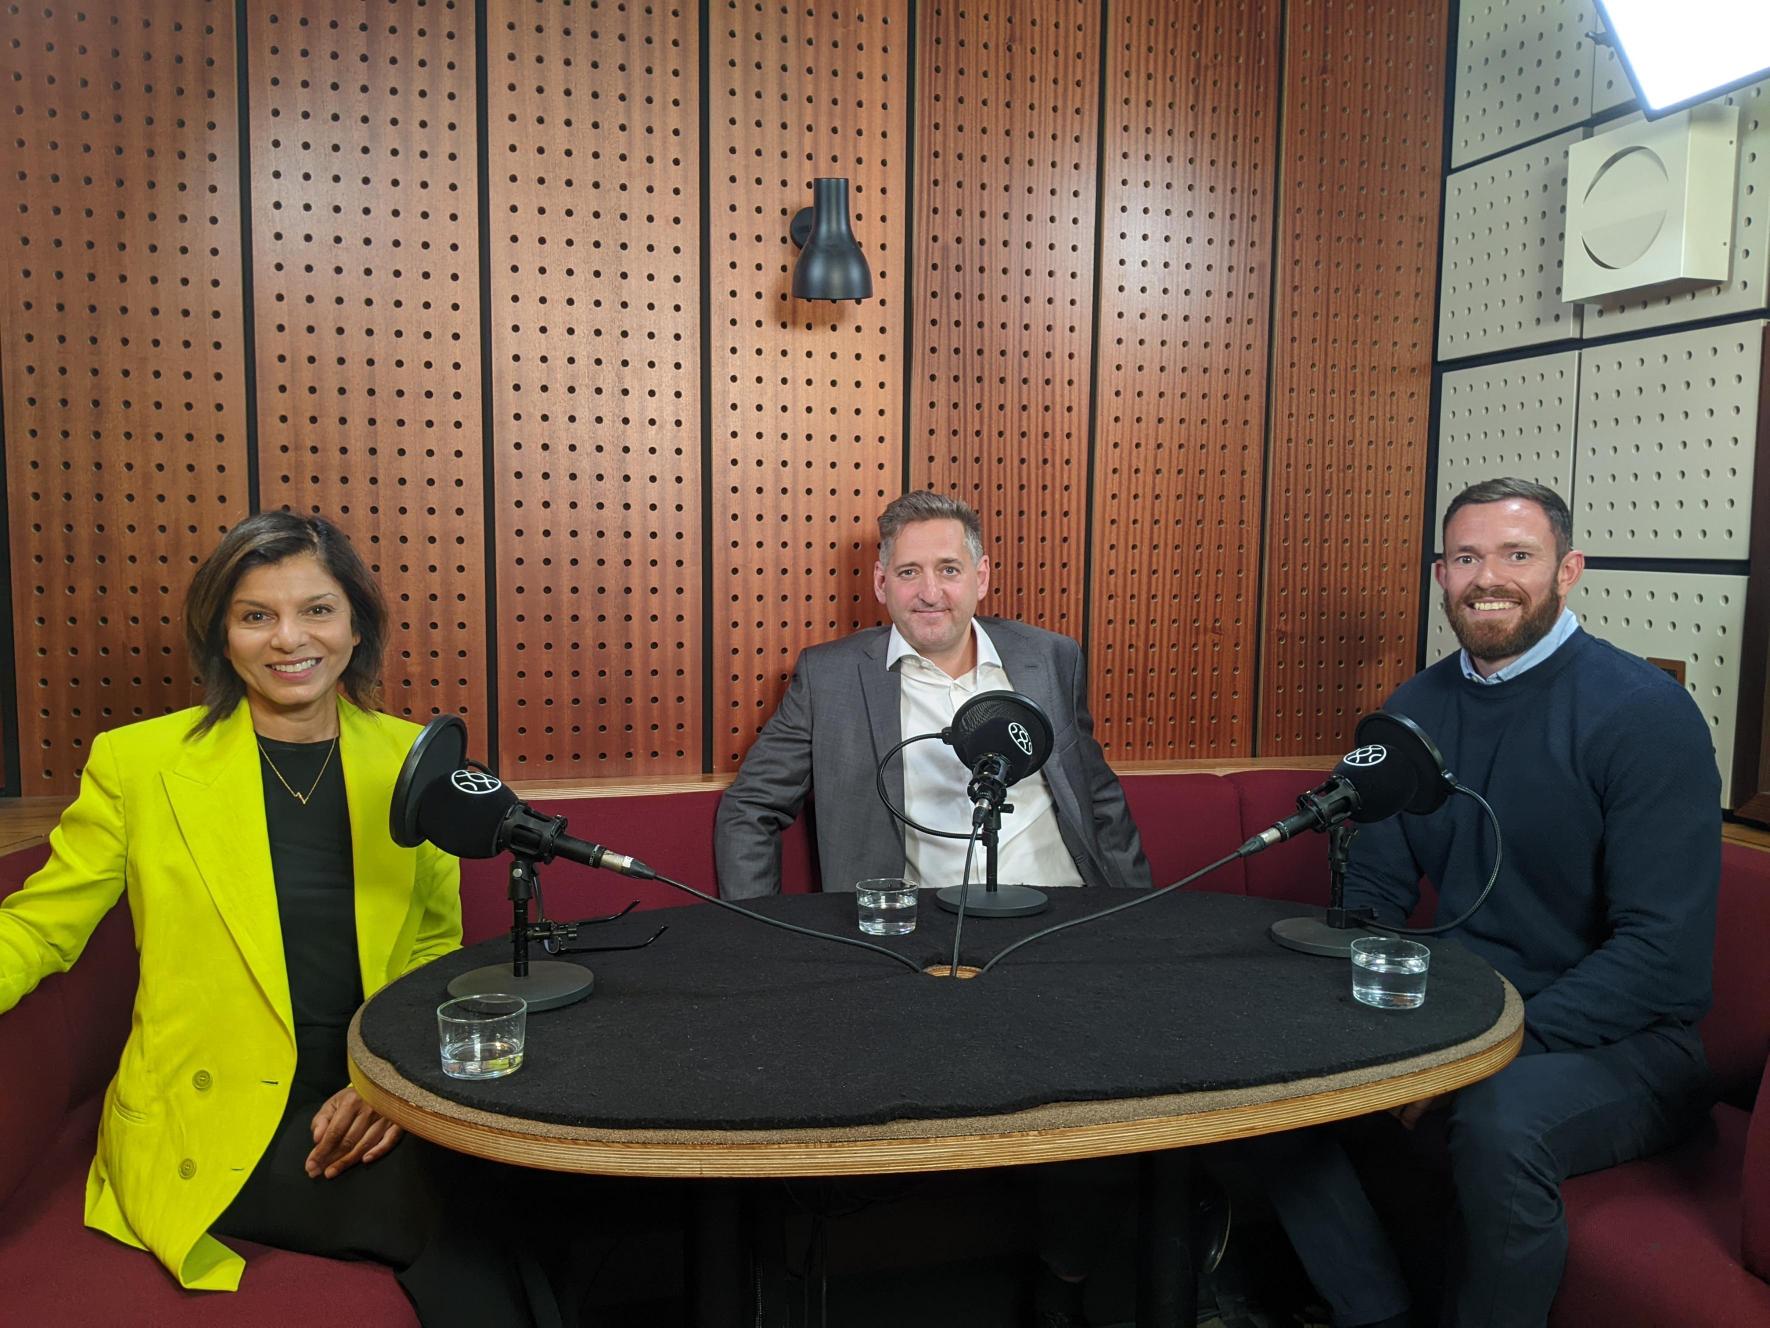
x,y
1666,438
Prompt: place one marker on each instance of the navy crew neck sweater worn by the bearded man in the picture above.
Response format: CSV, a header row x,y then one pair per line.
x,y
1603,775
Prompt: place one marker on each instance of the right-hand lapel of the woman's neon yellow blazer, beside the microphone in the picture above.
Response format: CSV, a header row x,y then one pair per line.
x,y
383,870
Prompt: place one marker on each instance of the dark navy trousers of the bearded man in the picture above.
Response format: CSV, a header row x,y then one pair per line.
x,y
1507,1145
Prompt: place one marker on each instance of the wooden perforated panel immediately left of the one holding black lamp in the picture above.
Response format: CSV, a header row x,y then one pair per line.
x,y
594,121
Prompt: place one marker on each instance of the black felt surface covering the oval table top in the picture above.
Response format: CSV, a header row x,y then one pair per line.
x,y
732,1024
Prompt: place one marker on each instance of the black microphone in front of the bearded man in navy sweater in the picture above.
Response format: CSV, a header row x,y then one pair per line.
x,y
1394,769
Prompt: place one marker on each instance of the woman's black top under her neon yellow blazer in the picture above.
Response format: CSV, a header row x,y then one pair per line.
x,y
316,902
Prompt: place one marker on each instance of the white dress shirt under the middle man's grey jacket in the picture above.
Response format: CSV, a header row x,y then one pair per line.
x,y
934,782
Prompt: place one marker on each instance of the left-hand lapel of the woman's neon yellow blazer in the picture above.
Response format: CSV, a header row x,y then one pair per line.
x,y
217,794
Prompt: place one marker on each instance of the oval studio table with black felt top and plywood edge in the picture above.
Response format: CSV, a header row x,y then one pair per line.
x,y
737,1051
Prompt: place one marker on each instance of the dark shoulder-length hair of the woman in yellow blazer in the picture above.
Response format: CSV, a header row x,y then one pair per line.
x,y
261,541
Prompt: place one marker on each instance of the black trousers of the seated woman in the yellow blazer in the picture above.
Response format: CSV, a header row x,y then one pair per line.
x,y
452,1228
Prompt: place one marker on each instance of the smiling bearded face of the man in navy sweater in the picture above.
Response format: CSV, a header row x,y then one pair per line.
x,y
1504,583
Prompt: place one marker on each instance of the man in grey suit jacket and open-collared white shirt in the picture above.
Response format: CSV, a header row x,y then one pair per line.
x,y
852,700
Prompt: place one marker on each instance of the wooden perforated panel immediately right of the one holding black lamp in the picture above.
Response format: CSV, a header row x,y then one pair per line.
x,y
1008,127
